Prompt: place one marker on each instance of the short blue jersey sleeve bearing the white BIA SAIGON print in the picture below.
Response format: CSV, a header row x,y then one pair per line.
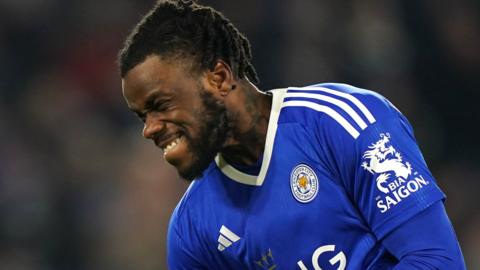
x,y
381,166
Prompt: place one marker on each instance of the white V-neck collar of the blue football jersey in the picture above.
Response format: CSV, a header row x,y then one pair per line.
x,y
254,180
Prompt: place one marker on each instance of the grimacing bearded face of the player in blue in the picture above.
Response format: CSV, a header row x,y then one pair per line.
x,y
180,113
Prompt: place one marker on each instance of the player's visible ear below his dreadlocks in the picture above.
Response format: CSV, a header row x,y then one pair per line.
x,y
221,79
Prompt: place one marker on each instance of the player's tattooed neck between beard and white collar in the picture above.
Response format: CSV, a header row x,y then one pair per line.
x,y
249,111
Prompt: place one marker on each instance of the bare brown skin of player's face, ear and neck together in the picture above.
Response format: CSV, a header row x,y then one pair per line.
x,y
166,94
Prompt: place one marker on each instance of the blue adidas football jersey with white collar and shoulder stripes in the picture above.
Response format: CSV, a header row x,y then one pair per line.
x,y
340,170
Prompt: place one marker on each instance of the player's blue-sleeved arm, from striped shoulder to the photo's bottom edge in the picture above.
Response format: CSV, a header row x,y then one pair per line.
x,y
382,169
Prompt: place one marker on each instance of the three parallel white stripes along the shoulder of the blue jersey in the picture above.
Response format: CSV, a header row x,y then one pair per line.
x,y
350,105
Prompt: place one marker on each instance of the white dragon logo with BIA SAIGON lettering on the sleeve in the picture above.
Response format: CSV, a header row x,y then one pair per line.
x,y
394,175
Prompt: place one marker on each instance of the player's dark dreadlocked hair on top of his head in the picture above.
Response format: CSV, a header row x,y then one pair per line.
x,y
186,29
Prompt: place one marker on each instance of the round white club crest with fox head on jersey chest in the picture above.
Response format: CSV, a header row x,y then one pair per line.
x,y
303,183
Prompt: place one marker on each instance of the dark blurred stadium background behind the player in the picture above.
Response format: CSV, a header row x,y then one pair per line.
x,y
79,187
